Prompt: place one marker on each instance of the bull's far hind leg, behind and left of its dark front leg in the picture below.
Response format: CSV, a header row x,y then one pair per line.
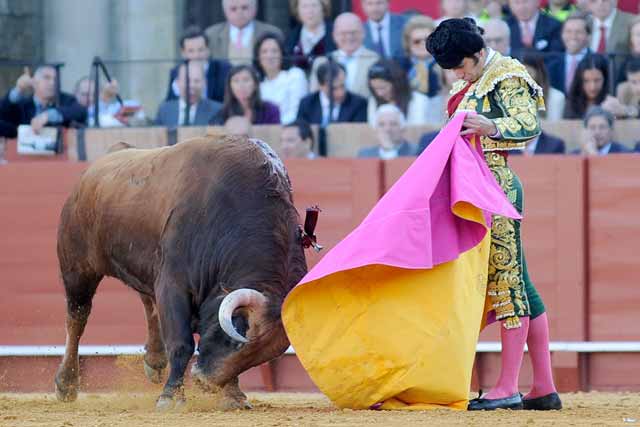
x,y
155,359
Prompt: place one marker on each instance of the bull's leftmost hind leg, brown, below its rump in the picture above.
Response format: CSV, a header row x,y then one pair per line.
x,y
79,289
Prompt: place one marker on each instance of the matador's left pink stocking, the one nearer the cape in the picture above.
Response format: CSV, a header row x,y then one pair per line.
x,y
513,341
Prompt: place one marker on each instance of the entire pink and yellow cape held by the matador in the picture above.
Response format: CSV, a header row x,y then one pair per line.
x,y
393,312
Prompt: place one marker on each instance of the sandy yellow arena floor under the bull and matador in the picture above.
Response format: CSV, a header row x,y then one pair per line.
x,y
289,409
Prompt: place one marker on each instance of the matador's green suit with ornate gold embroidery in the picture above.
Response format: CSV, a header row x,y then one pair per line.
x,y
506,94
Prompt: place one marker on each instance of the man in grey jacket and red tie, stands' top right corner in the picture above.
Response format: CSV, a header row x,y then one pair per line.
x,y
610,27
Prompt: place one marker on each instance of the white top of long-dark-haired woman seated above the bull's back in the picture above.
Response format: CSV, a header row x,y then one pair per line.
x,y
286,91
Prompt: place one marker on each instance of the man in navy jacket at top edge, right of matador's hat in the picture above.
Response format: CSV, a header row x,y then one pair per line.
x,y
532,30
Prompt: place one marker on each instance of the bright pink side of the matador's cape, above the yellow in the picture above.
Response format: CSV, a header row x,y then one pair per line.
x,y
413,226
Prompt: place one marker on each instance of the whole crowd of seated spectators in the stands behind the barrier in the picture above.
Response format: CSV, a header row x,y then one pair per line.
x,y
244,72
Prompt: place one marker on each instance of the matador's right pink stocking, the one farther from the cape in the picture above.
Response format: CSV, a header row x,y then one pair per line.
x,y
538,342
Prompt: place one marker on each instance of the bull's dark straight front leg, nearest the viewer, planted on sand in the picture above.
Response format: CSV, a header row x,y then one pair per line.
x,y
174,308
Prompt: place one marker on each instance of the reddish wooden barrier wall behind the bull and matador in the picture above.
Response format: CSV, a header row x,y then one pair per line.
x,y
581,234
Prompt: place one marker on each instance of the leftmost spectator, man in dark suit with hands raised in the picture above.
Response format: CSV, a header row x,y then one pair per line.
x,y
32,102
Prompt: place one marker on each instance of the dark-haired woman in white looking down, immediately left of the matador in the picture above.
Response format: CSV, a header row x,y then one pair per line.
x,y
389,85
